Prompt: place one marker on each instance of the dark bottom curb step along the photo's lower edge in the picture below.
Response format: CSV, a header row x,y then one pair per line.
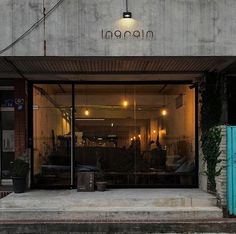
x,y
137,227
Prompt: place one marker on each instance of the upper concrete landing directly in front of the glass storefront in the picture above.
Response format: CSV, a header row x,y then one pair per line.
x,y
114,198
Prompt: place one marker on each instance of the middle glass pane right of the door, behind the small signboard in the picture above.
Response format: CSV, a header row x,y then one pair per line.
x,y
104,127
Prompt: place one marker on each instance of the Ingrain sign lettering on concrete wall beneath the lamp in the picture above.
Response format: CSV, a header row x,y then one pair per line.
x,y
135,34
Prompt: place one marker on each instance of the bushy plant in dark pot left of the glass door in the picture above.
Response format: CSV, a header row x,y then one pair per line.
x,y
20,170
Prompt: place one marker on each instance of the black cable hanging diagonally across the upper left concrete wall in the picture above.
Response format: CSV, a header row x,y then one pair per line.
x,y
35,25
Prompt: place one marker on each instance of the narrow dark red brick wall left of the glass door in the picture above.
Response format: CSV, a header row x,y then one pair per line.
x,y
20,119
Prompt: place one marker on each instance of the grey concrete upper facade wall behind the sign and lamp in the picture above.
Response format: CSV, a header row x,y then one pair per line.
x,y
180,27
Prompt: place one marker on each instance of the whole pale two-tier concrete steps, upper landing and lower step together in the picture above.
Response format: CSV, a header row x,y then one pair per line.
x,y
110,205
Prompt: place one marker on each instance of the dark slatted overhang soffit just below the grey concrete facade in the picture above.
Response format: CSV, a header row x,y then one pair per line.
x,y
120,68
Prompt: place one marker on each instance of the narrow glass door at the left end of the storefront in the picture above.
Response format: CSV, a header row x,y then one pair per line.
x,y
52,129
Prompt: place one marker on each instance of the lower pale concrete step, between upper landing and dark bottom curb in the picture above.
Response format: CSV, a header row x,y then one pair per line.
x,y
113,213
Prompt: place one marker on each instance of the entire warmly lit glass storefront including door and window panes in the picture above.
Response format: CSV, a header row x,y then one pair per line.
x,y
134,135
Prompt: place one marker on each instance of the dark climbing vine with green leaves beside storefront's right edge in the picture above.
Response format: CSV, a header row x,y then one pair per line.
x,y
211,110
